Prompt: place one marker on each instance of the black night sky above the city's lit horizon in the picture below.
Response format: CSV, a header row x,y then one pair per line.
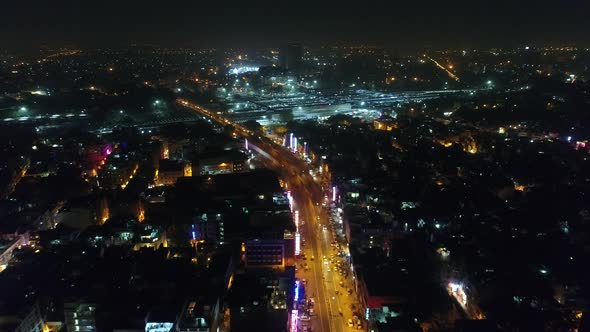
x,y
398,24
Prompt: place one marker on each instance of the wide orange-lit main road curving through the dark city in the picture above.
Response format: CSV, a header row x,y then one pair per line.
x,y
332,304
